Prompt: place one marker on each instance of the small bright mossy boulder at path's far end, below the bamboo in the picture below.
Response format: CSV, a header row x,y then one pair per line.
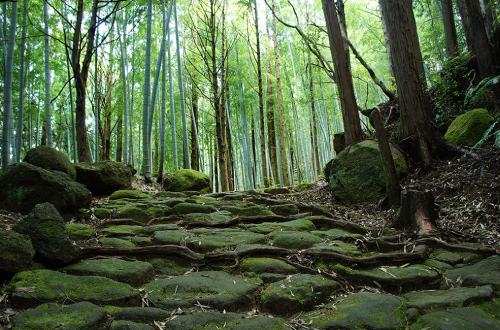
x,y
187,180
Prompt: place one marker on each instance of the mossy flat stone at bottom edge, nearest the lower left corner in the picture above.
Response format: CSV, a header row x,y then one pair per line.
x,y
78,316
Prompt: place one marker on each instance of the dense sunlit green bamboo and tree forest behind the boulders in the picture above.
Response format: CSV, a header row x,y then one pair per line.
x,y
223,86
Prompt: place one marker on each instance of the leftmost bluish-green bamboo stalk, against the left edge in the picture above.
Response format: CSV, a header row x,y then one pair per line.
x,y
8,88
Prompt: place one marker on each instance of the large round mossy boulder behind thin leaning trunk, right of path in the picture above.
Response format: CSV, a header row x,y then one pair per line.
x,y
356,174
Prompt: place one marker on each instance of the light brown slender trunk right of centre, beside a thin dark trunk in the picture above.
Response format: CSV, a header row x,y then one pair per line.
x,y
279,100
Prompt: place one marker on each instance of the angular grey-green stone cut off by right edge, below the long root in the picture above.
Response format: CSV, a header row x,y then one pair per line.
x,y
485,272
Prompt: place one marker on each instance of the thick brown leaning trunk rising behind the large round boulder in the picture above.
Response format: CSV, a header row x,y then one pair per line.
x,y
349,107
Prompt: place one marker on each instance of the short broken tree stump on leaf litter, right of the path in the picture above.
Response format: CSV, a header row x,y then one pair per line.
x,y
417,212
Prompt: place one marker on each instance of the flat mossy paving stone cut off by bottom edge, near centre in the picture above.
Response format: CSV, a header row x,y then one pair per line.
x,y
230,321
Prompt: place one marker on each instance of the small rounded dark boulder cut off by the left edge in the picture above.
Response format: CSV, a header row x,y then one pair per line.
x,y
16,252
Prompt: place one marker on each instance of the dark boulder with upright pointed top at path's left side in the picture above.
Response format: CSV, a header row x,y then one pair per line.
x,y
47,230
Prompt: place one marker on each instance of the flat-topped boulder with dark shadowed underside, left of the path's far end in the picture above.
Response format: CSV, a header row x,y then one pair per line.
x,y
104,178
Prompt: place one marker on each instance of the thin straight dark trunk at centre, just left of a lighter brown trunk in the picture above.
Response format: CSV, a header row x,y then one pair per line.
x,y
261,99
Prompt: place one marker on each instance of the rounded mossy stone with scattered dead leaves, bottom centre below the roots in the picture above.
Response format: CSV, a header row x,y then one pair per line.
x,y
297,293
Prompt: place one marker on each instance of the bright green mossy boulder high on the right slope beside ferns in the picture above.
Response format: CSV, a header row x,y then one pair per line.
x,y
469,128
